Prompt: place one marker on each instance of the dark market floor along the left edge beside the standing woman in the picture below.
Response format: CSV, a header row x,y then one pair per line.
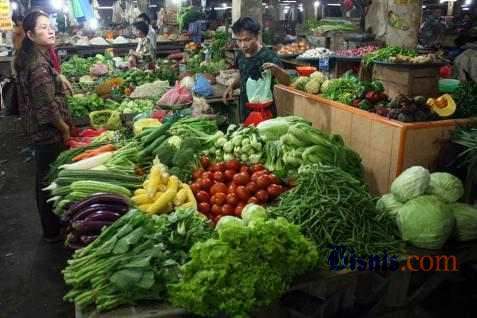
x,y
31,283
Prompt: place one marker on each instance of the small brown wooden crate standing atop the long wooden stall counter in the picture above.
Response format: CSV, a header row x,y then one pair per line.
x,y
415,80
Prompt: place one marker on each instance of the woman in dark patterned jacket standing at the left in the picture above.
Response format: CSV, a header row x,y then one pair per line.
x,y
42,104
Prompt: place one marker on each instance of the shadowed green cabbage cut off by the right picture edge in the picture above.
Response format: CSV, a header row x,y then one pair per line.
x,y
465,222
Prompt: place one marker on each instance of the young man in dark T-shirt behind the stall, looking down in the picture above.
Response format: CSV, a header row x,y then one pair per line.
x,y
252,59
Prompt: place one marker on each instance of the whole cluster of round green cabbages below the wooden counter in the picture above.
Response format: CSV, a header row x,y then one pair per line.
x,y
426,209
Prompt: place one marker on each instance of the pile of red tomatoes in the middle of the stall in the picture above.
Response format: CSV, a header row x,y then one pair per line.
x,y
224,188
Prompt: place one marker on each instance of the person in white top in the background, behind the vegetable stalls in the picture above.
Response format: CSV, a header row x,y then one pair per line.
x,y
144,54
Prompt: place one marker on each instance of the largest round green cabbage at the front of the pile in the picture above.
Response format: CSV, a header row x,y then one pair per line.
x,y
426,222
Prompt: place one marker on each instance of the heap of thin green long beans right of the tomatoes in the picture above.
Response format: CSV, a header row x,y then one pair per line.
x,y
334,208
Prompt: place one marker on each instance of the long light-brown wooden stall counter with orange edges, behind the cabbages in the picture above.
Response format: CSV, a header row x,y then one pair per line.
x,y
387,147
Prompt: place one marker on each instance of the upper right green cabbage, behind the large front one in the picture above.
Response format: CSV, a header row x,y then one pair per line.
x,y
446,186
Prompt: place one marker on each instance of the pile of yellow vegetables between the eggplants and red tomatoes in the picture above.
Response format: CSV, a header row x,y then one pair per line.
x,y
162,193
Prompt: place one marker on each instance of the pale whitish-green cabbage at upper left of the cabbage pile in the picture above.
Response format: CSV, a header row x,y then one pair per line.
x,y
410,184
